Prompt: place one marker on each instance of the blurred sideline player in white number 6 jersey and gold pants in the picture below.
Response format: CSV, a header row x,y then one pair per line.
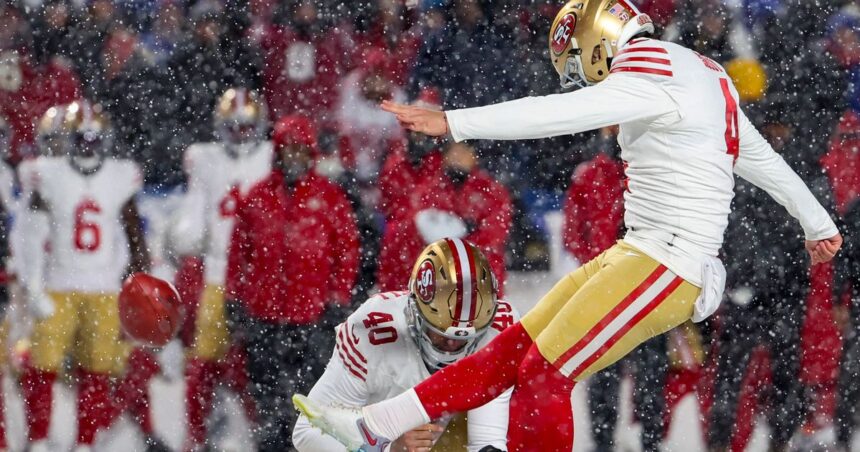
x,y
86,200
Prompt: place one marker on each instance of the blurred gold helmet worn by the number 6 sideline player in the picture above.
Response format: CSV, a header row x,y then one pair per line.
x,y
91,137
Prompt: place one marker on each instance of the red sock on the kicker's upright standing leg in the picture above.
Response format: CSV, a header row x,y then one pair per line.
x,y
541,417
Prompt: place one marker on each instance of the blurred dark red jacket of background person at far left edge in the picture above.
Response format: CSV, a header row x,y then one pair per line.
x,y
41,88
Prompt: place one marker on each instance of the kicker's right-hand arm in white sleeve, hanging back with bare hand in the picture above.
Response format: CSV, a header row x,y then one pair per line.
x,y
761,165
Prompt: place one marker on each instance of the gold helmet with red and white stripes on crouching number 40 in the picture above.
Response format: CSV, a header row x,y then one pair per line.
x,y
452,301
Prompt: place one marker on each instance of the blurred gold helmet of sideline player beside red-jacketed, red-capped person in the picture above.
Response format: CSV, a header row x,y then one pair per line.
x,y
240,117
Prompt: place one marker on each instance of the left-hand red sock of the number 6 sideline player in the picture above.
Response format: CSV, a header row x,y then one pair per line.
x,y
38,391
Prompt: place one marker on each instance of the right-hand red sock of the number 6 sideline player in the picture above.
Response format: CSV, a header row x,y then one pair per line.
x,y
93,404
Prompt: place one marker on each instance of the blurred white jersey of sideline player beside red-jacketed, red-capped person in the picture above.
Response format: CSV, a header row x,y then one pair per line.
x,y
216,183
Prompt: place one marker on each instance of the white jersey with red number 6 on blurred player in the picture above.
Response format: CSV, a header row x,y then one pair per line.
x,y
84,214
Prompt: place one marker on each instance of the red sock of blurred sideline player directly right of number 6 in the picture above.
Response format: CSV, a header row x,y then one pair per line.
x,y
200,389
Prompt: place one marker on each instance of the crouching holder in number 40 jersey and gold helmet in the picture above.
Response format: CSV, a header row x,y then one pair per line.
x,y
396,339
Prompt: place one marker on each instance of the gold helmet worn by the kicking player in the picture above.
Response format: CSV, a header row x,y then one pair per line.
x,y
586,35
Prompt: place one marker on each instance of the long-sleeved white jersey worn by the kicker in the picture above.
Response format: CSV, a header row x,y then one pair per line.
x,y
682,136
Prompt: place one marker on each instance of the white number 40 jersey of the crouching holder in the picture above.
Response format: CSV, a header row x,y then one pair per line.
x,y
376,358
